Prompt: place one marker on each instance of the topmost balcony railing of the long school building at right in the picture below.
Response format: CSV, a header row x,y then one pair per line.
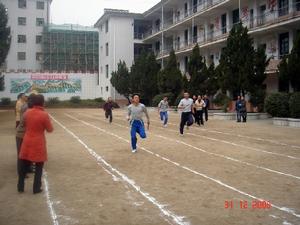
x,y
221,33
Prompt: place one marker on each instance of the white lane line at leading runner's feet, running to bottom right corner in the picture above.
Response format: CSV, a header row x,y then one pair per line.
x,y
283,209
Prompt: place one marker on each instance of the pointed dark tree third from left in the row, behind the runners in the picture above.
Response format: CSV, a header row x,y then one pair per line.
x,y
170,78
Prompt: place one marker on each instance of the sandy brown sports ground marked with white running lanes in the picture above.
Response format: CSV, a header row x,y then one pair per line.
x,y
224,173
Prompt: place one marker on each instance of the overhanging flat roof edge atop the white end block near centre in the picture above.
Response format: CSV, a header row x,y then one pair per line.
x,y
117,13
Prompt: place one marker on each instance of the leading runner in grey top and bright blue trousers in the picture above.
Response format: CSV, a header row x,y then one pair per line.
x,y
135,116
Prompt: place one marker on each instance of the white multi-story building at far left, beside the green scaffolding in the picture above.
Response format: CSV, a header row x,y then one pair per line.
x,y
26,18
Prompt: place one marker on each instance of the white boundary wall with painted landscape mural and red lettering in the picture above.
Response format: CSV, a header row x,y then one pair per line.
x,y
61,85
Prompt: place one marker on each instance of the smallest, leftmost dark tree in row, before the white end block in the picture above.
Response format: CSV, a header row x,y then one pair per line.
x,y
120,80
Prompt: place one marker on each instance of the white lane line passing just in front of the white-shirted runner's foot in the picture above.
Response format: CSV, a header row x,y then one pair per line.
x,y
217,155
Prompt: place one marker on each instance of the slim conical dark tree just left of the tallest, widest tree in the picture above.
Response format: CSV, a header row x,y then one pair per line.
x,y
198,72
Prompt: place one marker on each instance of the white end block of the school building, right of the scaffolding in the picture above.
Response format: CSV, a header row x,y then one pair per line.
x,y
120,38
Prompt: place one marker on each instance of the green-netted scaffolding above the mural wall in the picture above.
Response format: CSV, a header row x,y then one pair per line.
x,y
70,48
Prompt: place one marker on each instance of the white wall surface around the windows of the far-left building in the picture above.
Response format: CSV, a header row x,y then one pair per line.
x,y
30,30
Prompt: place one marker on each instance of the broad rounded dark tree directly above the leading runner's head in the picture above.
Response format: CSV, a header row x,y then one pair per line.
x,y
143,76
